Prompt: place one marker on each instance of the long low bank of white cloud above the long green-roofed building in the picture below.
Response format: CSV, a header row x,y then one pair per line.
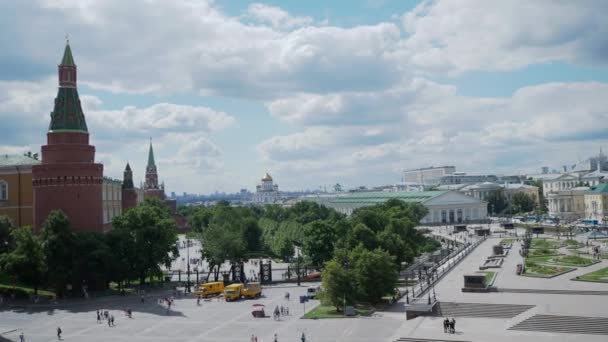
x,y
432,123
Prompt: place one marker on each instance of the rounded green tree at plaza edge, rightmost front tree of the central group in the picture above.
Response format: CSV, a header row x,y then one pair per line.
x,y
374,274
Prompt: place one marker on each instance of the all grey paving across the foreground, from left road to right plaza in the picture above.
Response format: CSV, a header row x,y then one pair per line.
x,y
221,321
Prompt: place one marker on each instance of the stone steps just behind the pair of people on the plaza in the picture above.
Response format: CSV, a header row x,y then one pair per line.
x,y
452,309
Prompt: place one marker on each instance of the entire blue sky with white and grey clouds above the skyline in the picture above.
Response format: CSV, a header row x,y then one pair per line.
x,y
314,92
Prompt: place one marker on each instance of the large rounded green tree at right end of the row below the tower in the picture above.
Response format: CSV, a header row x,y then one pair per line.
x,y
152,231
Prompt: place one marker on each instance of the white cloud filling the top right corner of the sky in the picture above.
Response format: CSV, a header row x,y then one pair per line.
x,y
463,35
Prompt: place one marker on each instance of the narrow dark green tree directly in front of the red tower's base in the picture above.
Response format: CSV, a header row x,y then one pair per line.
x,y
58,247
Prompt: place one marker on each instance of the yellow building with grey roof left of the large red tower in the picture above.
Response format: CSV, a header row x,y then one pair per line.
x,y
16,194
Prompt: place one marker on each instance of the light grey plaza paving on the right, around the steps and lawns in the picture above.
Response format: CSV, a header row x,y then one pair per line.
x,y
491,329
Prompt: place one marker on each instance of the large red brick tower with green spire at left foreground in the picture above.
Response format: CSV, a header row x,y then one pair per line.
x,y
68,178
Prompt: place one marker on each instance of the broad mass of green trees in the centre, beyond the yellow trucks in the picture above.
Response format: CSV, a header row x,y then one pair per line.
x,y
368,248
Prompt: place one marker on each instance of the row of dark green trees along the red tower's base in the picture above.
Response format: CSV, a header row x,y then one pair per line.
x,y
60,259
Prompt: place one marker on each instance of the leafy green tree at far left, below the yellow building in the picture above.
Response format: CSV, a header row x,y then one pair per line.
x,y
25,263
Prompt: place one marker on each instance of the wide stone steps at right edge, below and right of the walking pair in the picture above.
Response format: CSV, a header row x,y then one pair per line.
x,y
564,324
